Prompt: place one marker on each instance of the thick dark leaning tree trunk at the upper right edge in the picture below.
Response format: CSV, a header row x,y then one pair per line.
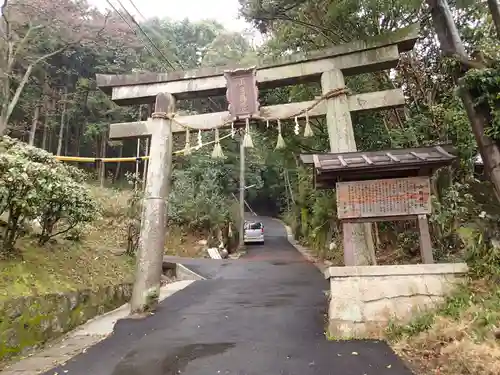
x,y
452,45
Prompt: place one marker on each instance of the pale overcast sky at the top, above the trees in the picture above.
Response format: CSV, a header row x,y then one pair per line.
x,y
224,11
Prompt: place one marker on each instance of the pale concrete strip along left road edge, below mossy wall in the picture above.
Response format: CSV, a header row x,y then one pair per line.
x,y
88,334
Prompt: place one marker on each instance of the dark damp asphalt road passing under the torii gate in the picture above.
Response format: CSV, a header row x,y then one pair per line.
x,y
260,315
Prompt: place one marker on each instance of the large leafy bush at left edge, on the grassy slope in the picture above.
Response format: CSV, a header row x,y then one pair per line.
x,y
34,185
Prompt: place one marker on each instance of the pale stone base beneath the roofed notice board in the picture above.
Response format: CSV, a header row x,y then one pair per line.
x,y
364,299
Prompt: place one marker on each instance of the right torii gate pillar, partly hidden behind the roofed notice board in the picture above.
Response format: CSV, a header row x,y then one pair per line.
x,y
358,240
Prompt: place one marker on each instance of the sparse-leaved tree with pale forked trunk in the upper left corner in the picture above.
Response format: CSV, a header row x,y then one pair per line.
x,y
33,32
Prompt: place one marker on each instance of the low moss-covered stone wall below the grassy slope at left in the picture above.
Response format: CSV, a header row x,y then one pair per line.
x,y
26,322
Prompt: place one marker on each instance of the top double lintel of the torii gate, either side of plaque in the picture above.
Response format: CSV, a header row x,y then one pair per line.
x,y
379,53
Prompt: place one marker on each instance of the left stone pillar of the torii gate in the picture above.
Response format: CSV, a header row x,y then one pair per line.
x,y
146,290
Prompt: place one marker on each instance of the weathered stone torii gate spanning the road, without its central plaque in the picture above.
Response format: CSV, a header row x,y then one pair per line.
x,y
328,66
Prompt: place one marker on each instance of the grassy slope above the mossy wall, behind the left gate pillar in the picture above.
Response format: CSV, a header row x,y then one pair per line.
x,y
63,265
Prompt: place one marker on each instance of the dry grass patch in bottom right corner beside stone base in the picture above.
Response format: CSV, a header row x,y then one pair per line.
x,y
460,340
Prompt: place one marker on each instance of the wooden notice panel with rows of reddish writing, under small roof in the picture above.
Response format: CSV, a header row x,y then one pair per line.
x,y
383,198
